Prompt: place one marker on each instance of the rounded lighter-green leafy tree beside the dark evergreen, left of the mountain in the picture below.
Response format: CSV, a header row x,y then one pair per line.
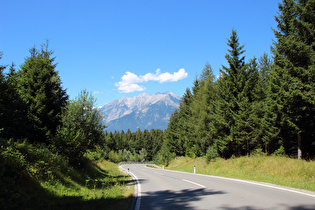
x,y
81,129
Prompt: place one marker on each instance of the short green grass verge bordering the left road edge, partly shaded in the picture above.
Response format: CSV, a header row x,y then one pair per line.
x,y
105,187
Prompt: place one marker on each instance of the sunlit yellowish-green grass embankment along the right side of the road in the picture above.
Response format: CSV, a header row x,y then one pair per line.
x,y
271,169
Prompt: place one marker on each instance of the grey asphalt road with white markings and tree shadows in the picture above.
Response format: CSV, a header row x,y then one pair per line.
x,y
165,189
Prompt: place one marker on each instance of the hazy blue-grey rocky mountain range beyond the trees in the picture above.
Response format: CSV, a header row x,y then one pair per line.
x,y
143,111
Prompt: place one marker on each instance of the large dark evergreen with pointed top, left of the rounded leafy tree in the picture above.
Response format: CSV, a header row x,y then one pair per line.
x,y
40,88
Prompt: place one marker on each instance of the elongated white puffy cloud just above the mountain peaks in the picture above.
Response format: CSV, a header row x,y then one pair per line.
x,y
130,81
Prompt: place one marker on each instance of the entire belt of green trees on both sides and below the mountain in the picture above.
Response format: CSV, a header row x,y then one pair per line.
x,y
264,104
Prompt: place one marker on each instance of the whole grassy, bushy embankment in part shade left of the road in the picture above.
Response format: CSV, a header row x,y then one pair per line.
x,y
32,177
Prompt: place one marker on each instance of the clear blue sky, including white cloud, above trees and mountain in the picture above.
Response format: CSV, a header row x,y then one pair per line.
x,y
123,48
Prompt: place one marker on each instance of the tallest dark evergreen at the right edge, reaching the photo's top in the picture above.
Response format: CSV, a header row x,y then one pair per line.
x,y
292,86
